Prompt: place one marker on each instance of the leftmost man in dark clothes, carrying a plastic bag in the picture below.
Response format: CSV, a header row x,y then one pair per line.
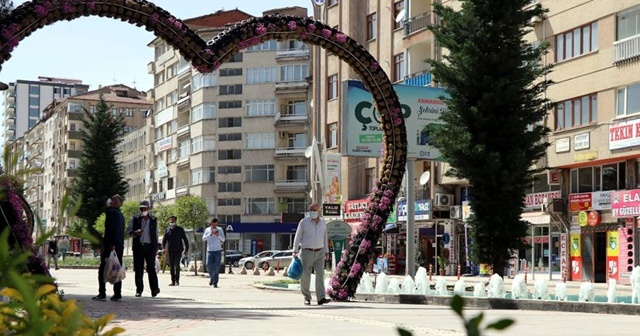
x,y
113,240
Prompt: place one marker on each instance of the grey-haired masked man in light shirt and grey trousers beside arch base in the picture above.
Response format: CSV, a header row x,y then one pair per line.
x,y
312,245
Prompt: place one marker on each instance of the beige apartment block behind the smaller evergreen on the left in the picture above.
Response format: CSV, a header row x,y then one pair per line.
x,y
58,152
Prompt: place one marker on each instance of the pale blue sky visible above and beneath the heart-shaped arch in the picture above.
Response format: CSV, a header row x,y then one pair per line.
x,y
105,51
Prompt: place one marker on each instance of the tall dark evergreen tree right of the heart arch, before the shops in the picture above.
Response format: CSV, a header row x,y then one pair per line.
x,y
494,131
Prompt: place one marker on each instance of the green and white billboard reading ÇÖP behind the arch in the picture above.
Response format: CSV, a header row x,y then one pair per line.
x,y
361,131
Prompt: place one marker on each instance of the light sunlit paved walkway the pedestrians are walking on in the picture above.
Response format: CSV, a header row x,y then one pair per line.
x,y
238,308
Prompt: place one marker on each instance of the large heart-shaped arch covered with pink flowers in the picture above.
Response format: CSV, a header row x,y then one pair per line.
x,y
206,56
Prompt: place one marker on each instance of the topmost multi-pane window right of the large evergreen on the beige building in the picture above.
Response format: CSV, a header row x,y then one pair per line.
x,y
576,42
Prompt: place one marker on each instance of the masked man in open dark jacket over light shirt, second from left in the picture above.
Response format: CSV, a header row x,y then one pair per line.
x,y
144,230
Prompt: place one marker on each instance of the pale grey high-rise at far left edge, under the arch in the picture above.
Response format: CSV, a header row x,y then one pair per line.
x,y
26,99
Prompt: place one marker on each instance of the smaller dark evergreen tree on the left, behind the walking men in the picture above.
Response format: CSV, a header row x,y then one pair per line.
x,y
99,173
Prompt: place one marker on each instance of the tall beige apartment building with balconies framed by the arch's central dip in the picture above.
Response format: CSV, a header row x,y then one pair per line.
x,y
235,137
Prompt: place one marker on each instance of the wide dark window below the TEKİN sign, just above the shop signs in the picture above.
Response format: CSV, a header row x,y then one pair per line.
x,y
599,178
